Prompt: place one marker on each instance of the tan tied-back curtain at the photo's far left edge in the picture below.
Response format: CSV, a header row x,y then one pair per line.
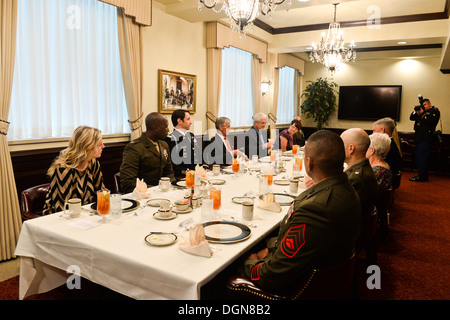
x,y
10,218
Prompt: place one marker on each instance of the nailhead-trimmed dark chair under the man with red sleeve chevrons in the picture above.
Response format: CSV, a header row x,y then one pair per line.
x,y
328,283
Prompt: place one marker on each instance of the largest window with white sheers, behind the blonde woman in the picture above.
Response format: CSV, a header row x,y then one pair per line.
x,y
67,70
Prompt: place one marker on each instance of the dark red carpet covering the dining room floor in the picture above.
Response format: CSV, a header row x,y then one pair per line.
x,y
414,260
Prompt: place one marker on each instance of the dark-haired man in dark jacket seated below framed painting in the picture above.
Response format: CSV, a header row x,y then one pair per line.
x,y
185,150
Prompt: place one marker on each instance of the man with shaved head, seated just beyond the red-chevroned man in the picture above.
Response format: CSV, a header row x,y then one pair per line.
x,y
359,172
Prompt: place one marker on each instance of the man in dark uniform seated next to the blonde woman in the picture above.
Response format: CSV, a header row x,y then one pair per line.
x,y
147,157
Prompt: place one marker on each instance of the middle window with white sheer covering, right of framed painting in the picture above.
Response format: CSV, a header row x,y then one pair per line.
x,y
236,95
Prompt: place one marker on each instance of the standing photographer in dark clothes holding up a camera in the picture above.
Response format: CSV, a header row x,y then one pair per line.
x,y
426,118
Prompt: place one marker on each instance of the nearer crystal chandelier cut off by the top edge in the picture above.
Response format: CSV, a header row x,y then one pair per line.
x,y
242,13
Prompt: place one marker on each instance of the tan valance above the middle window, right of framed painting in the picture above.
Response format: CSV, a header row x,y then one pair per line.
x,y
219,36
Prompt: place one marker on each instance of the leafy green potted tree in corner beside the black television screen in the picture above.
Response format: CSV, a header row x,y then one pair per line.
x,y
320,101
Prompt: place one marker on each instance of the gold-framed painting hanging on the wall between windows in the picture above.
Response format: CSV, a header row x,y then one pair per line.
x,y
176,91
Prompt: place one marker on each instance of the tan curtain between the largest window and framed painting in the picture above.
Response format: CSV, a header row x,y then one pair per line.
x,y
131,63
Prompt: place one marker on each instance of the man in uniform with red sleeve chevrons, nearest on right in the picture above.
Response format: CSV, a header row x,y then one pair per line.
x,y
321,226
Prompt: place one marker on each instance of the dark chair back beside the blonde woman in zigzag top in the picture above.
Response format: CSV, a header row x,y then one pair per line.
x,y
32,201
